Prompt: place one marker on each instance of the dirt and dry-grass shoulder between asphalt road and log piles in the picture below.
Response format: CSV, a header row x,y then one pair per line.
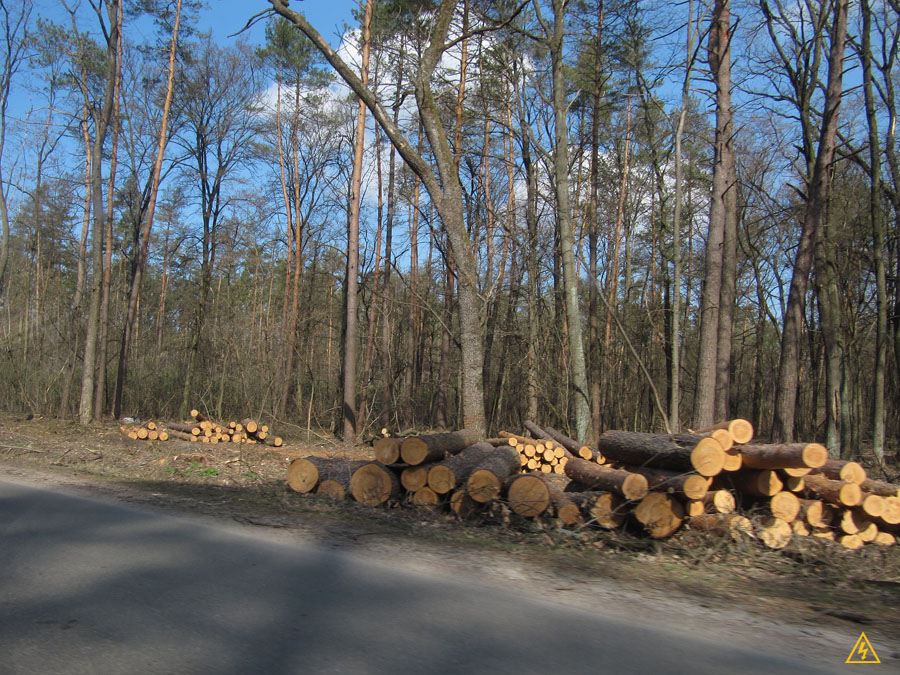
x,y
813,594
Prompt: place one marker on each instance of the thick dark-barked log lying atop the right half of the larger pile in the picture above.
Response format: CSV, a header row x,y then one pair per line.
x,y
682,452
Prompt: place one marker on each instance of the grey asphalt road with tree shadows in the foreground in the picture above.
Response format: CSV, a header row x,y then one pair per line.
x,y
88,586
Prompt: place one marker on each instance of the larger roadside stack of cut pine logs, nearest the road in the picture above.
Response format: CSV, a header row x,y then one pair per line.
x,y
712,480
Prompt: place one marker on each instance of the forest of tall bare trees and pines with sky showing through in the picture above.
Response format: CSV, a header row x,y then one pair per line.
x,y
595,214
